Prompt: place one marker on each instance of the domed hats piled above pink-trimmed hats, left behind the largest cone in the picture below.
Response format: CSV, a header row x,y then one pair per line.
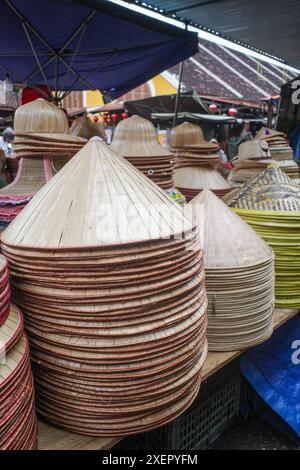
x,y
43,145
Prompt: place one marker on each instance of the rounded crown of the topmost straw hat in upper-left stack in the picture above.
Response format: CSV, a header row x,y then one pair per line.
x,y
40,116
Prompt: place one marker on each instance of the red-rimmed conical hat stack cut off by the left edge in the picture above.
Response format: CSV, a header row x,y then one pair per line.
x,y
18,430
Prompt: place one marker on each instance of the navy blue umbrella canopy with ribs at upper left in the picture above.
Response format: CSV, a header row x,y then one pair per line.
x,y
86,44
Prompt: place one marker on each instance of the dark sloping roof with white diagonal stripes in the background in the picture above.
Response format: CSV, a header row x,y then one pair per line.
x,y
219,71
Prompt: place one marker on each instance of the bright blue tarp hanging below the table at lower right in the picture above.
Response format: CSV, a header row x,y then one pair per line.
x,y
273,370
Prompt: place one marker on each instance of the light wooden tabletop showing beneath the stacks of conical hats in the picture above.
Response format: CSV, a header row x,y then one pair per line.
x,y
51,438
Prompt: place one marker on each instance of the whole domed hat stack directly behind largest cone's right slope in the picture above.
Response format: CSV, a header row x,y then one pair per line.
x,y
135,139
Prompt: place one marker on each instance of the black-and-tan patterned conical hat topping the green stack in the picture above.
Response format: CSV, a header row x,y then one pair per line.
x,y
272,189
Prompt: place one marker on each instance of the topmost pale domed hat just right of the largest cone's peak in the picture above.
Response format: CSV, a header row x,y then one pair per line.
x,y
136,137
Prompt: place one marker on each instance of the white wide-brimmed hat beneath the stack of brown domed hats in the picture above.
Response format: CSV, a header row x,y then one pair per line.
x,y
199,178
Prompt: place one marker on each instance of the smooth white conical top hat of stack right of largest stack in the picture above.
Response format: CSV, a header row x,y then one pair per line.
x,y
228,241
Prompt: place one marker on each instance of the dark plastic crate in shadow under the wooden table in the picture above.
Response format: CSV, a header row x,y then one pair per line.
x,y
212,412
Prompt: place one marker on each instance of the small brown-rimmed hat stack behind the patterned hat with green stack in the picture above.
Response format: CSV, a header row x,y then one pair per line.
x,y
278,144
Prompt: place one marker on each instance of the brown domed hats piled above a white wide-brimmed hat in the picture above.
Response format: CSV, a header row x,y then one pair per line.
x,y
195,158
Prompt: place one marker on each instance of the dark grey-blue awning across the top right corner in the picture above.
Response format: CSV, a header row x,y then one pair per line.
x,y
271,26
